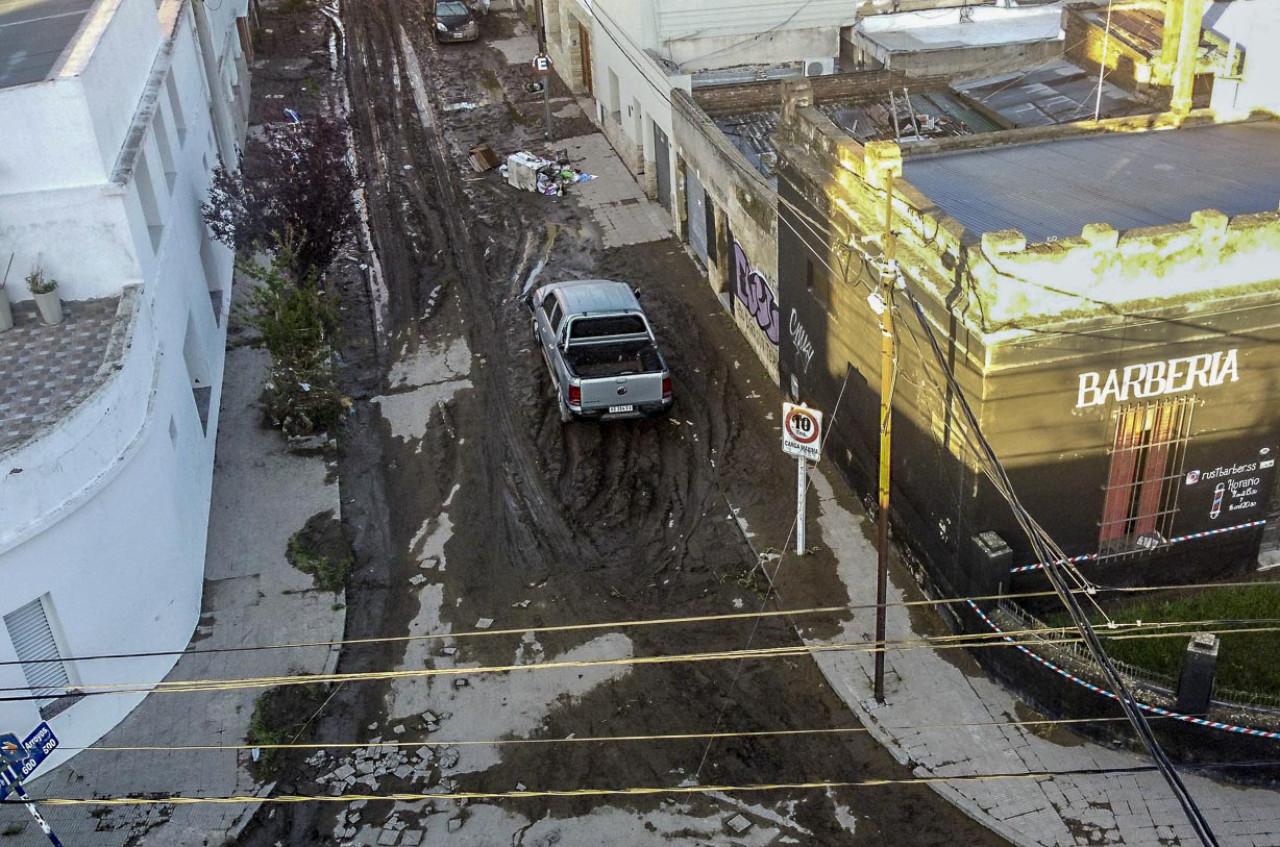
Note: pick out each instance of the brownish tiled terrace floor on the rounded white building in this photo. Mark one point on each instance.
(45, 372)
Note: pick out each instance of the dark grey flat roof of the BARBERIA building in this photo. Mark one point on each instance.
(1124, 180)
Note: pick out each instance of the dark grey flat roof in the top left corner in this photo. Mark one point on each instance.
(34, 35)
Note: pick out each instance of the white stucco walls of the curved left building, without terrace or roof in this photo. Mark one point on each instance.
(108, 516)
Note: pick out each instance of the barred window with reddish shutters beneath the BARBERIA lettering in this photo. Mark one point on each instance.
(1146, 470)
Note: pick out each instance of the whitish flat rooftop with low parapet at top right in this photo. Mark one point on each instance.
(962, 28)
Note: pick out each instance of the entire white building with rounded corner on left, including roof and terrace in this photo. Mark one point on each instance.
(116, 113)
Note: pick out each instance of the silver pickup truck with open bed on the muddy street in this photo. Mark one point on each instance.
(601, 351)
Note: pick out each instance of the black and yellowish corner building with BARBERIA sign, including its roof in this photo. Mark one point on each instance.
(1113, 323)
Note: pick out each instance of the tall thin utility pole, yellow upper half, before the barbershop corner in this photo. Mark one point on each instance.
(889, 277)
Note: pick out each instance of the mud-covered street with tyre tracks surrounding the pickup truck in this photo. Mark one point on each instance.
(477, 511)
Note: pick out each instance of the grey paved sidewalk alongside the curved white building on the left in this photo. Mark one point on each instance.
(253, 597)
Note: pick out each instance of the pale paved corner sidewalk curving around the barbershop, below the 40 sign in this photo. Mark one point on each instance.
(930, 698)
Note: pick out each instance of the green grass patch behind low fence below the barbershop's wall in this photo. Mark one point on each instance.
(1240, 657)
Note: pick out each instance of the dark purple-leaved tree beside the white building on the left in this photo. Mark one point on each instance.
(295, 181)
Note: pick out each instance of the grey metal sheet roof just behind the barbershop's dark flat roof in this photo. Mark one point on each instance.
(1052, 94)
